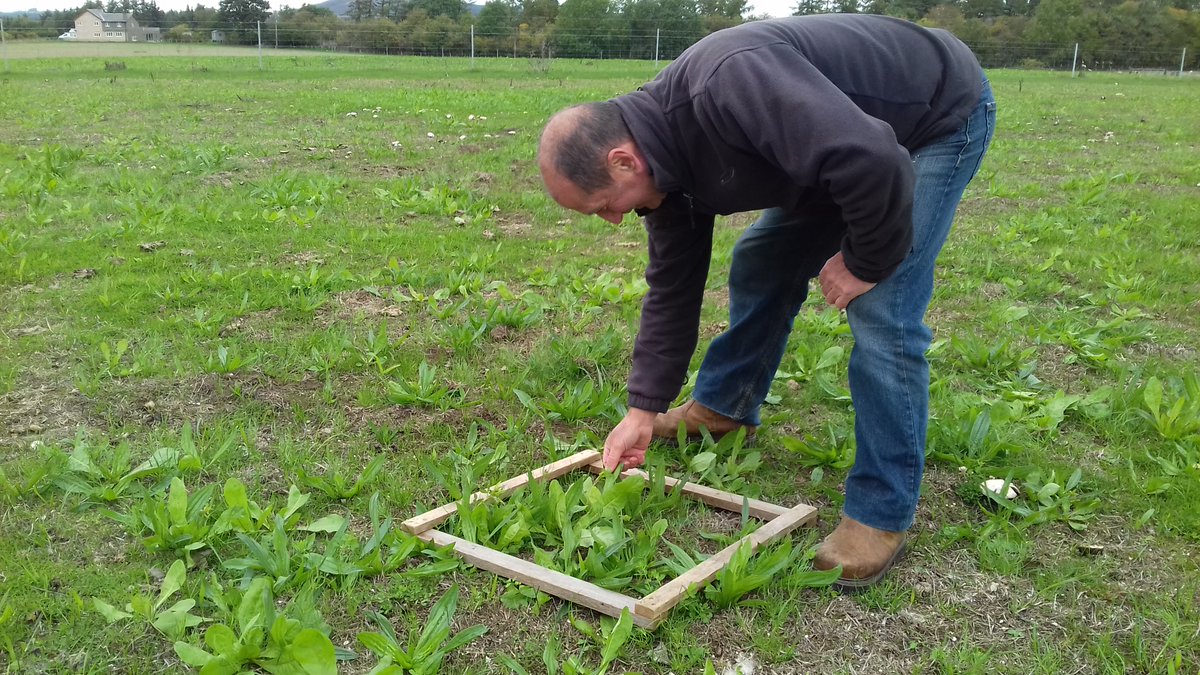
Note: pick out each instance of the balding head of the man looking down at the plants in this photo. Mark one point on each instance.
(591, 164)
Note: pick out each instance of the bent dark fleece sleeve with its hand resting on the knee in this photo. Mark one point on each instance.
(775, 104)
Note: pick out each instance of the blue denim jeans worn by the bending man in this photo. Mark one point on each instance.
(773, 262)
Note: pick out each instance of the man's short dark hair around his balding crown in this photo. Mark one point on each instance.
(581, 154)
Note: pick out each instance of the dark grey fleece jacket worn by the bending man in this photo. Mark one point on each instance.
(805, 114)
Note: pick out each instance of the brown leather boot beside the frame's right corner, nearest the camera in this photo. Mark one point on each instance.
(865, 554)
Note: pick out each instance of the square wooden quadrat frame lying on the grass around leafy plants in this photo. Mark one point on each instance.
(647, 612)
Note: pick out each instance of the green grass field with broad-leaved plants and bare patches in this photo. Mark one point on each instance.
(251, 316)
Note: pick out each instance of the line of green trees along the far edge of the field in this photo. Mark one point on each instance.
(1004, 33)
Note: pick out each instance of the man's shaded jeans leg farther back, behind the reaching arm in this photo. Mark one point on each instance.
(773, 262)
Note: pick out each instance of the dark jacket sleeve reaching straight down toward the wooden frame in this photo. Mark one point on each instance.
(681, 244)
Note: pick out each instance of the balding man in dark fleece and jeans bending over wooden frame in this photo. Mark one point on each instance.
(857, 136)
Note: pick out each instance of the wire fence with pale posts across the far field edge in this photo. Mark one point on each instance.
(644, 45)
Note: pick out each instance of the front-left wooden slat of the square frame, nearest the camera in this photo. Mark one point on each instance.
(549, 581)
